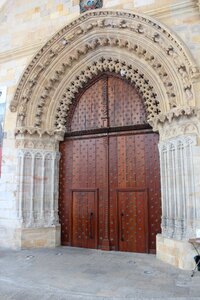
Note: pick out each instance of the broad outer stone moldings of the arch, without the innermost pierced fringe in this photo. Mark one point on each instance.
(84, 35)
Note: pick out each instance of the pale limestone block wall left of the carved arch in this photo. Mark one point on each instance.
(25, 27)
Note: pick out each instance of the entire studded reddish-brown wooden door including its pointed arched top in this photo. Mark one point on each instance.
(109, 171)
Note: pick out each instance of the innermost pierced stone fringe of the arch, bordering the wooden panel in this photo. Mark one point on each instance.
(119, 67)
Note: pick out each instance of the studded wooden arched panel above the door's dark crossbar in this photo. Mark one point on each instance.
(108, 102)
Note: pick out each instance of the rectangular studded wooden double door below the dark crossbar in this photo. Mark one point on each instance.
(110, 189)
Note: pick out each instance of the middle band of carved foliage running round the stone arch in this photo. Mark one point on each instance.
(62, 70)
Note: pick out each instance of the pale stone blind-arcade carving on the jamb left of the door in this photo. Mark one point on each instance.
(37, 187)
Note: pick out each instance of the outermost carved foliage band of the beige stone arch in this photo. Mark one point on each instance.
(181, 62)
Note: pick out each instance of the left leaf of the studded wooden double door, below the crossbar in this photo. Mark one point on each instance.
(87, 169)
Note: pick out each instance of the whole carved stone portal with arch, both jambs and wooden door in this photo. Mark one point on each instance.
(161, 68)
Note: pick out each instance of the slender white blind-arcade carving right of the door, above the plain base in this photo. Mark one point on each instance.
(177, 183)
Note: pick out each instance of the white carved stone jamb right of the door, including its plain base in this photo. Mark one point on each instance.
(180, 184)
